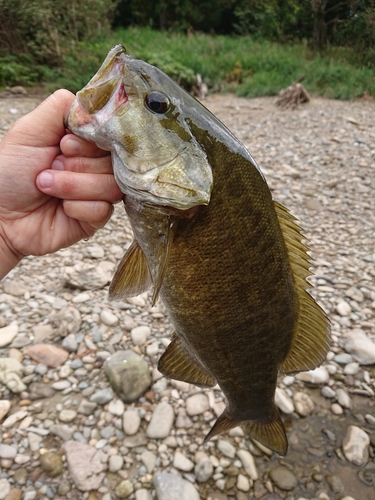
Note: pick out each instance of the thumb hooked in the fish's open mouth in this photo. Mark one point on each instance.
(46, 122)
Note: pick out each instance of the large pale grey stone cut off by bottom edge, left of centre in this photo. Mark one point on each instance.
(169, 487)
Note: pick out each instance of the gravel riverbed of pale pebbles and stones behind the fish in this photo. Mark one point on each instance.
(64, 432)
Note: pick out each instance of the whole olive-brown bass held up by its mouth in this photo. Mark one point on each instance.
(229, 263)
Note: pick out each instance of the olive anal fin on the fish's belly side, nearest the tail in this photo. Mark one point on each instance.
(176, 363)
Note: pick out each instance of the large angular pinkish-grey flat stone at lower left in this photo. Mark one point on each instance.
(86, 465)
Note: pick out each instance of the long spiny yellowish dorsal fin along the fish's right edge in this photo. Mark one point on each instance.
(310, 342)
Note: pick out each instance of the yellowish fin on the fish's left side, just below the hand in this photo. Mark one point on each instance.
(132, 275)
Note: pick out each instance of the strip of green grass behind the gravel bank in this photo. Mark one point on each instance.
(240, 64)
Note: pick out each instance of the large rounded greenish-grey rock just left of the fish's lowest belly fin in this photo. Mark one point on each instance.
(128, 374)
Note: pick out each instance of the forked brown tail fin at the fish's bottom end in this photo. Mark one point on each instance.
(271, 433)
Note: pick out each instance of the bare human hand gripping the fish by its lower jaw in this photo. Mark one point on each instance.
(55, 188)
